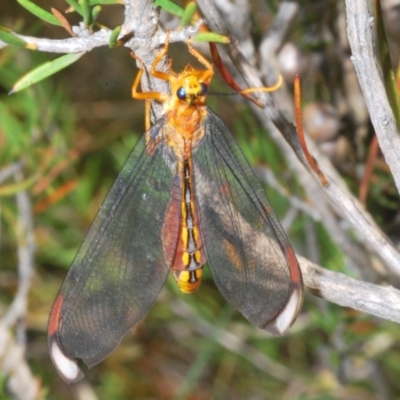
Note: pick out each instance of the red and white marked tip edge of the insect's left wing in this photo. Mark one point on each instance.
(67, 367)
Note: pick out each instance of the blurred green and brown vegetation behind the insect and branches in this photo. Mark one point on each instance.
(71, 134)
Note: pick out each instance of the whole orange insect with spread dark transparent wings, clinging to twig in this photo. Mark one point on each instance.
(185, 196)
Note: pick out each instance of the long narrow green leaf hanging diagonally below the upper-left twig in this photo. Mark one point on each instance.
(45, 70)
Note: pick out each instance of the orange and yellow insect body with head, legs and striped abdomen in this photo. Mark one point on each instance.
(184, 130)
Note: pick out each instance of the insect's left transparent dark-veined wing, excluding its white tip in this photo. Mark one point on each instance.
(120, 267)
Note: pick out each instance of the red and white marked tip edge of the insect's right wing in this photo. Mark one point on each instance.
(282, 322)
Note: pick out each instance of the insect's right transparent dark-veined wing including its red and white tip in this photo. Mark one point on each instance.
(248, 252)
